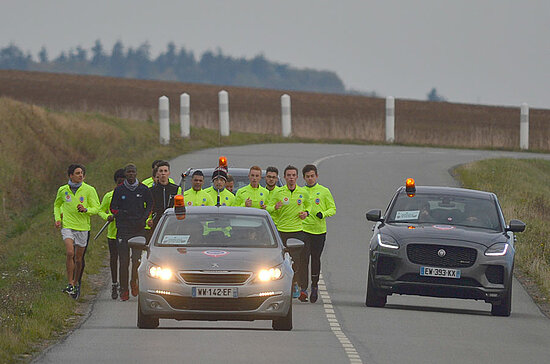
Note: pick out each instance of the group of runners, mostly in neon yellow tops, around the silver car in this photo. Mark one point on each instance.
(298, 212)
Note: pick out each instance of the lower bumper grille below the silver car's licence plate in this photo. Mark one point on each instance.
(214, 304)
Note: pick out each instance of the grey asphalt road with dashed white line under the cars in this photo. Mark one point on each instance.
(338, 328)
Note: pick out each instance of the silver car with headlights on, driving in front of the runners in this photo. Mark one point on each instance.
(215, 263)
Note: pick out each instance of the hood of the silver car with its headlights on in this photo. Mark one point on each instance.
(201, 258)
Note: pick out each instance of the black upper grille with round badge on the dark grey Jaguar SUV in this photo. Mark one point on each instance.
(455, 256)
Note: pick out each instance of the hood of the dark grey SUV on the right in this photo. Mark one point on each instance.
(404, 233)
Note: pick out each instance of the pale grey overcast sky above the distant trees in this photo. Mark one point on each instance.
(474, 51)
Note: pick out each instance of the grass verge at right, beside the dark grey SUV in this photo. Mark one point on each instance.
(524, 193)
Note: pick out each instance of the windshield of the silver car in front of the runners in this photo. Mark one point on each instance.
(216, 230)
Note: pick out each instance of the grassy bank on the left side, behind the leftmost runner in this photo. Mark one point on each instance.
(36, 146)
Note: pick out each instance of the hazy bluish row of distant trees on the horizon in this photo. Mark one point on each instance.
(174, 65)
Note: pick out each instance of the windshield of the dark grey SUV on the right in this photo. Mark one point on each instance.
(445, 210)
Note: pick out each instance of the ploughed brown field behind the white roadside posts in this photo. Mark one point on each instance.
(314, 115)
